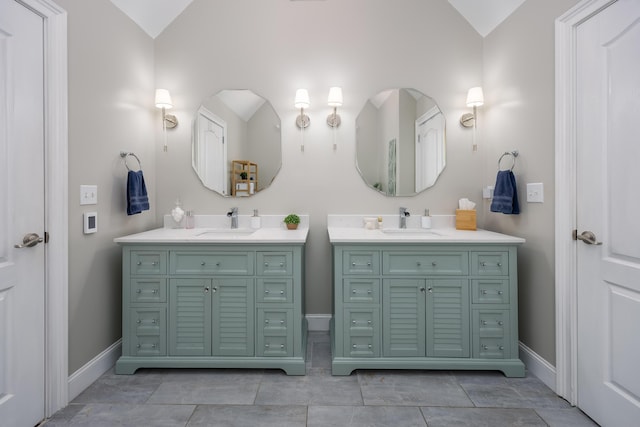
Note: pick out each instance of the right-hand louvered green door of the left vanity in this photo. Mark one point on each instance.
(233, 317)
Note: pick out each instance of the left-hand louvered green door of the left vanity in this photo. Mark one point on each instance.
(190, 317)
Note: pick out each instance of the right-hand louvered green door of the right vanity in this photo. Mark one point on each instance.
(448, 329)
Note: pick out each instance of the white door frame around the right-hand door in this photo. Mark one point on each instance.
(566, 194)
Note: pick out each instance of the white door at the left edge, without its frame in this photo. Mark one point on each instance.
(21, 212)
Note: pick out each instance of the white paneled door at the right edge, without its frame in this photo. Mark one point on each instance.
(608, 177)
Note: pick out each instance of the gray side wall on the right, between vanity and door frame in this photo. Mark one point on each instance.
(519, 114)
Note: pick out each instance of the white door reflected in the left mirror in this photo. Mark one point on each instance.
(210, 151)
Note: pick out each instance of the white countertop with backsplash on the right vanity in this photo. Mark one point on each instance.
(350, 229)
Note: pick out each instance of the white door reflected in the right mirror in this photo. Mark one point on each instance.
(430, 155)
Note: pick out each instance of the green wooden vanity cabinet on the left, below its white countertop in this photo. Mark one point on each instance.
(213, 306)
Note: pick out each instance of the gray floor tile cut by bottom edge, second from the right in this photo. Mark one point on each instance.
(481, 417)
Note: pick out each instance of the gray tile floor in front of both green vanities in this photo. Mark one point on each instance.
(239, 397)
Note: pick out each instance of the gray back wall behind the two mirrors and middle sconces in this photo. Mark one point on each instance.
(364, 46)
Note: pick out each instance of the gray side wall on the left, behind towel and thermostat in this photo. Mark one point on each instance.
(111, 91)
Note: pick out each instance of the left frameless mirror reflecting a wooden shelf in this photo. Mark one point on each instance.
(236, 145)
